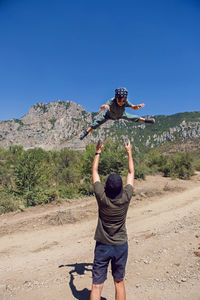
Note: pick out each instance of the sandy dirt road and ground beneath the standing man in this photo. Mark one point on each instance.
(47, 252)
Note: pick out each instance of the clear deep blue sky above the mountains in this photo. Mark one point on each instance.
(81, 50)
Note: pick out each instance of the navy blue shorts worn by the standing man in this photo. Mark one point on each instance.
(103, 254)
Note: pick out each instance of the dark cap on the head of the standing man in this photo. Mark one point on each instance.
(114, 186)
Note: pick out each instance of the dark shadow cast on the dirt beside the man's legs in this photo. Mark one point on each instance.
(79, 269)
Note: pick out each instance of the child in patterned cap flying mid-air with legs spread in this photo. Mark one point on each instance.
(116, 110)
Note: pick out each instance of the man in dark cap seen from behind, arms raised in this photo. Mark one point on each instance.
(111, 236)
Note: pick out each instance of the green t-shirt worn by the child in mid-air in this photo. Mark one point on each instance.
(116, 111)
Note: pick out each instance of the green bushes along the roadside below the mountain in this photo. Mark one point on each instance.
(36, 176)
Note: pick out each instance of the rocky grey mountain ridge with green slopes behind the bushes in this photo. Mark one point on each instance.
(59, 124)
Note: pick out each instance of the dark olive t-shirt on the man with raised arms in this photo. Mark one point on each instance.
(111, 227)
